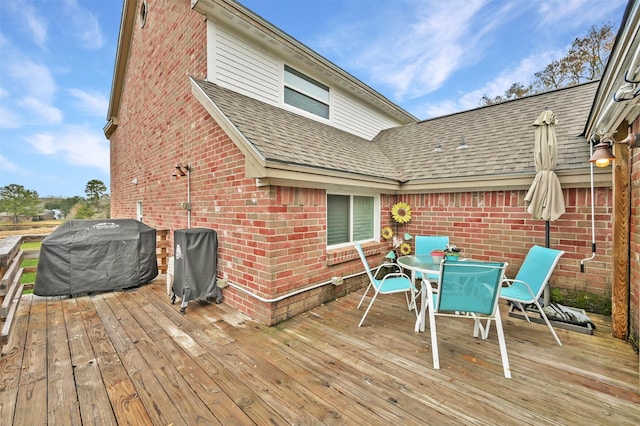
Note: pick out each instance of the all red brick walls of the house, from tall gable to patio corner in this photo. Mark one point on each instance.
(272, 239)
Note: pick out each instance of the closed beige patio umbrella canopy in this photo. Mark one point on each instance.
(544, 199)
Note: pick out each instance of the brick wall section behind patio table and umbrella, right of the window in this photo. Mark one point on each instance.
(496, 226)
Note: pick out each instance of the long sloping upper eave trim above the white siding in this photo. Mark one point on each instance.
(212, 10)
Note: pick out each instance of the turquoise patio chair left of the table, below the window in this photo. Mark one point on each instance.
(393, 282)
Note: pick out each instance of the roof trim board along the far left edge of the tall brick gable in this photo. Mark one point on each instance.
(127, 20)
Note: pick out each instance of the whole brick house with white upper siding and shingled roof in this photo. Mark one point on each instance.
(291, 159)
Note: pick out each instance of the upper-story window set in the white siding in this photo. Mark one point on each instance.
(305, 93)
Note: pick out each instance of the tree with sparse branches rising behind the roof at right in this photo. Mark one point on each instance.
(585, 61)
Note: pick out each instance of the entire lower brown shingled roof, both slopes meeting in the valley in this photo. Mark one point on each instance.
(500, 139)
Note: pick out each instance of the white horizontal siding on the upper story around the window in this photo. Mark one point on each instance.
(235, 63)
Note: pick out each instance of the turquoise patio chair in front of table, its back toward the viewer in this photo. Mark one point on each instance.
(469, 290)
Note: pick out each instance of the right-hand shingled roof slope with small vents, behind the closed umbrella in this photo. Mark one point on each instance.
(500, 138)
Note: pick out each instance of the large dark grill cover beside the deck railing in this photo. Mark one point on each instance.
(85, 256)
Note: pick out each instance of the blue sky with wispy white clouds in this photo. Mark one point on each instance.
(431, 57)
